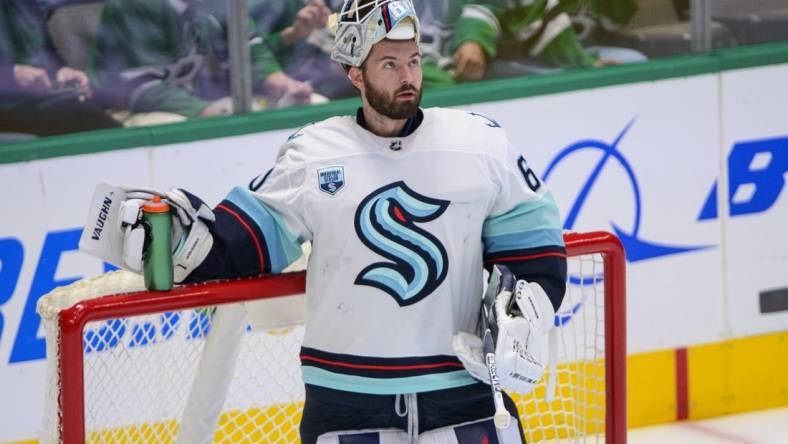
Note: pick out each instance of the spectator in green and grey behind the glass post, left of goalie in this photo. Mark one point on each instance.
(173, 56)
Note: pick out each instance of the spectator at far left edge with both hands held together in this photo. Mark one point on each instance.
(39, 95)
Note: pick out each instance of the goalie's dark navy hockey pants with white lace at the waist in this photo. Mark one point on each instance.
(460, 415)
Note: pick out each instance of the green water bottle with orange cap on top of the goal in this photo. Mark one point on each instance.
(157, 255)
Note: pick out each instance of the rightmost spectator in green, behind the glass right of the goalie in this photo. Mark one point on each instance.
(542, 35)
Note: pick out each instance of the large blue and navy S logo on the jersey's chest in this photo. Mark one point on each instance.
(386, 223)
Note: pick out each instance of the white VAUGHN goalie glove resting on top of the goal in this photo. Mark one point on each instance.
(115, 233)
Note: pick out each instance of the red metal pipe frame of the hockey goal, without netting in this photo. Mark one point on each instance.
(73, 320)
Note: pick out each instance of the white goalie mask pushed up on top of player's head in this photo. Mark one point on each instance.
(363, 23)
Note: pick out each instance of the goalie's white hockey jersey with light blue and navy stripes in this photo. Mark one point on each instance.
(400, 228)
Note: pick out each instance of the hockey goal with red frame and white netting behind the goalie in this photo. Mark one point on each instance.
(126, 365)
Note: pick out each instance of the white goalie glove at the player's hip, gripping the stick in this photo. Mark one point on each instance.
(521, 319)
